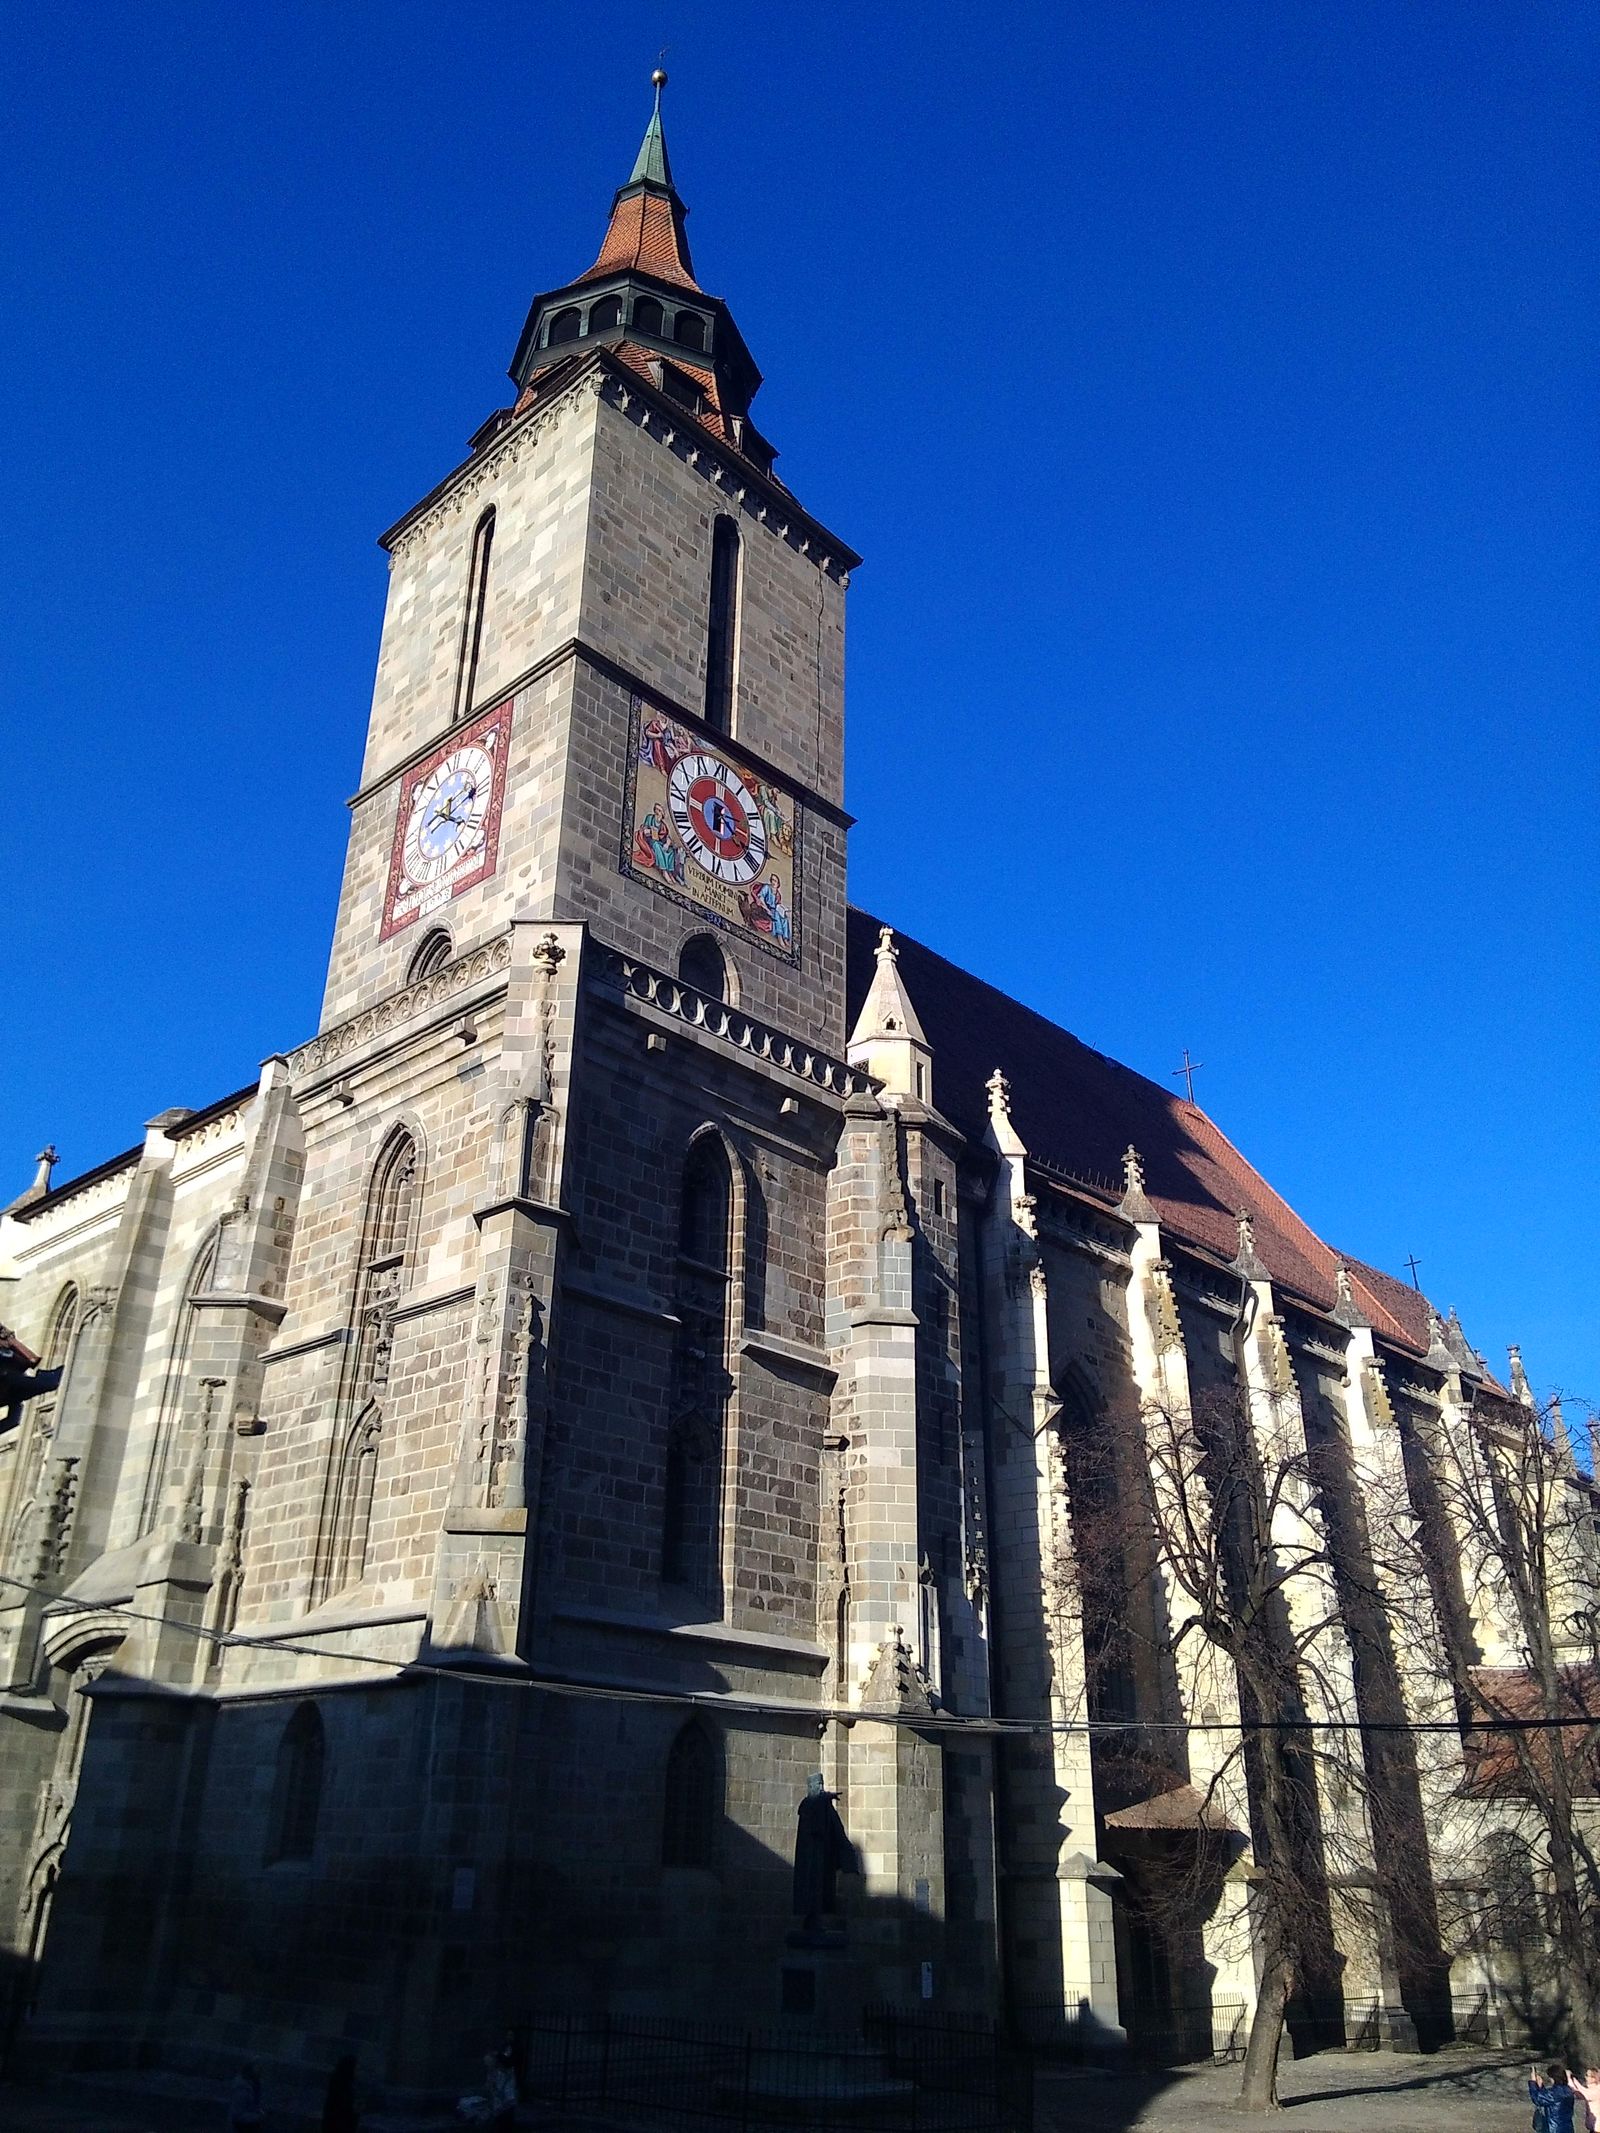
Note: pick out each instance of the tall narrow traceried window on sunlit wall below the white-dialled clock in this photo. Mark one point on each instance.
(349, 1496)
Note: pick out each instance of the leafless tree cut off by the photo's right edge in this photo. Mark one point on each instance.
(1509, 1533)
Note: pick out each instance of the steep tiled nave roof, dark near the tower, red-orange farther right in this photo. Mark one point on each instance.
(1078, 1110)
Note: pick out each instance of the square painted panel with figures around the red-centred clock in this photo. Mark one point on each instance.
(711, 835)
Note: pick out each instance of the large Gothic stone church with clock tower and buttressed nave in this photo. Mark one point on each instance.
(464, 1486)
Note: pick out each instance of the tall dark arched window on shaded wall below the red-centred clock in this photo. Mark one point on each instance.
(697, 1443)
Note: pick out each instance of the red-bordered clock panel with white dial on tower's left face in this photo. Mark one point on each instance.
(447, 829)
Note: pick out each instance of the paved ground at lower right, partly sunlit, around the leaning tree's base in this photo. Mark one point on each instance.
(1330, 2094)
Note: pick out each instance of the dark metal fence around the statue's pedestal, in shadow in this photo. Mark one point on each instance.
(901, 2074)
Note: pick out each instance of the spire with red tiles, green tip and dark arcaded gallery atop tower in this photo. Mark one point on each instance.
(641, 300)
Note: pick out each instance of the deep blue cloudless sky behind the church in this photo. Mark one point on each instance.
(1211, 389)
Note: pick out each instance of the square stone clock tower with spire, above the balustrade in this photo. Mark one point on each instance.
(611, 673)
